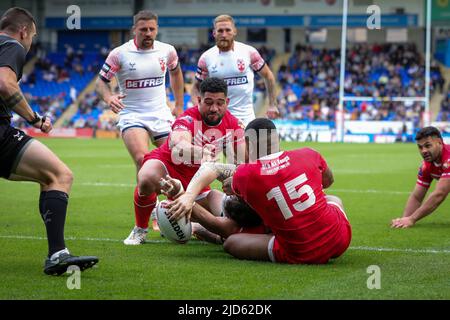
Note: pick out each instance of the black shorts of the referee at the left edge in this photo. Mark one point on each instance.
(12, 145)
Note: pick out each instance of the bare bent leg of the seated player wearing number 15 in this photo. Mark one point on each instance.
(248, 246)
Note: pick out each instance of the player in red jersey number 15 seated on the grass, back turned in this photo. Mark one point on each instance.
(286, 189)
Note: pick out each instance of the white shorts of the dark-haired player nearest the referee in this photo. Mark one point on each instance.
(158, 124)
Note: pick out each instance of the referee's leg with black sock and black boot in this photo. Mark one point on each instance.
(41, 165)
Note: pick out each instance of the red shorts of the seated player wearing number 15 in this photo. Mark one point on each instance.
(333, 248)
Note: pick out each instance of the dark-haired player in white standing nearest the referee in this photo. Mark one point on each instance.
(140, 66)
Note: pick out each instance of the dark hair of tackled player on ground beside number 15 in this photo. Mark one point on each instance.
(239, 211)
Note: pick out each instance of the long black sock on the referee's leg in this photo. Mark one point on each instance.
(53, 208)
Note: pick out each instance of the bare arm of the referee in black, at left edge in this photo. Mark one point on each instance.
(13, 98)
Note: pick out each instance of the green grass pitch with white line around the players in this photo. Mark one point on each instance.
(373, 181)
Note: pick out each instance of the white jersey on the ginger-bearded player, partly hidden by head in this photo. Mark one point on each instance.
(237, 68)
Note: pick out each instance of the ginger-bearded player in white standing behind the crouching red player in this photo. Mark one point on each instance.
(235, 62)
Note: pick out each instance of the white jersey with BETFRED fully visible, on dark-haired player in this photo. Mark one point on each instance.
(141, 74)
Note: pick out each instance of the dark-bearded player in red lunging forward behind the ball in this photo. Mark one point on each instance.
(201, 133)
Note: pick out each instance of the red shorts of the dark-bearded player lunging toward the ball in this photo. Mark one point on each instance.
(181, 172)
